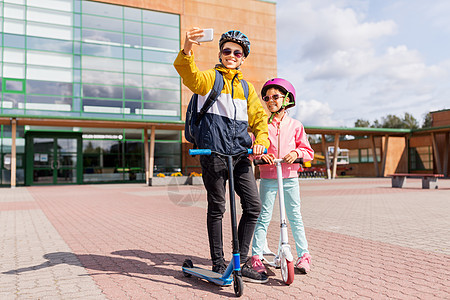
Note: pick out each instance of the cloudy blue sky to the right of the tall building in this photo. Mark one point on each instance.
(364, 59)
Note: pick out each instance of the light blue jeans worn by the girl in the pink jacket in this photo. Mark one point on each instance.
(268, 191)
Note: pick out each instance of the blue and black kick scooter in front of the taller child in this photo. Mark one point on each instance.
(235, 265)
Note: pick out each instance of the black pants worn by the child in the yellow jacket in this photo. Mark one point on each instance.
(215, 176)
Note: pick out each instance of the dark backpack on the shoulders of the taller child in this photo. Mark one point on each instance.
(194, 117)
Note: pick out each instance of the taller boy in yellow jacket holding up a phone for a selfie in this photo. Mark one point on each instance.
(224, 130)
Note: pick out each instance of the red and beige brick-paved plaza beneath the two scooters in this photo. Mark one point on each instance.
(367, 240)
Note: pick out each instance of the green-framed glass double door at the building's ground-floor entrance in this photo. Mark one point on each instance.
(53, 159)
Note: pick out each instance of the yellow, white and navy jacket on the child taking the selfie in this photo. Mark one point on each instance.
(224, 127)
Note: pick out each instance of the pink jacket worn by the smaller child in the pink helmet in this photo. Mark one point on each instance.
(286, 136)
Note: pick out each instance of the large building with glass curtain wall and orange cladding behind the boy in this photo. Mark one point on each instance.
(85, 83)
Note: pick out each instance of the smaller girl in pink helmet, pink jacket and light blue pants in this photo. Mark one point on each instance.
(288, 140)
